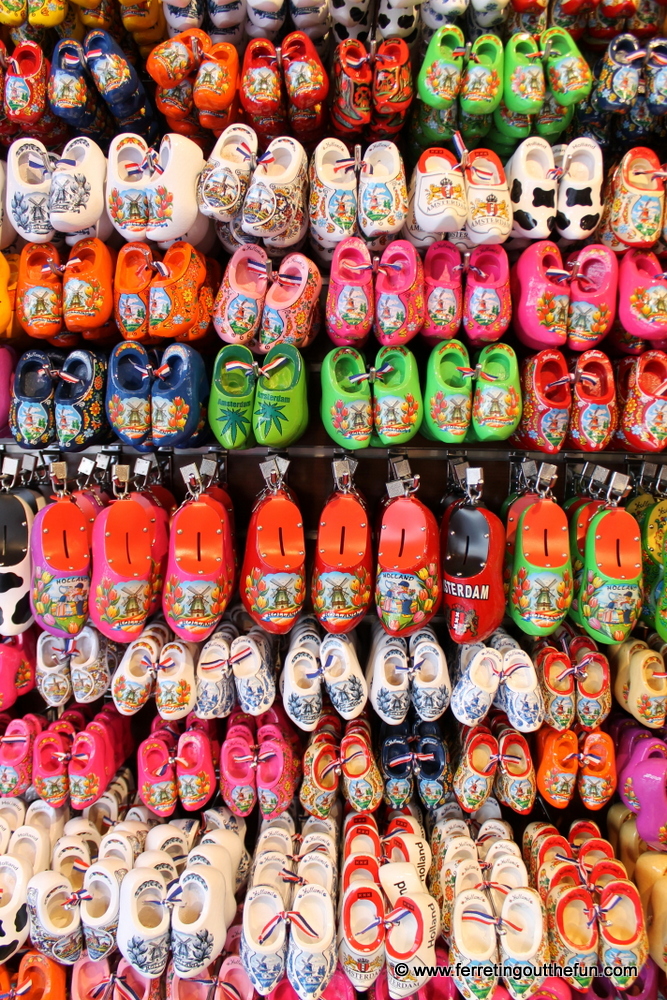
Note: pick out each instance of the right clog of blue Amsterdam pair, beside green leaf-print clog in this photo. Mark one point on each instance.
(179, 397)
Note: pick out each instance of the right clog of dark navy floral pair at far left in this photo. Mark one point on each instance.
(79, 400)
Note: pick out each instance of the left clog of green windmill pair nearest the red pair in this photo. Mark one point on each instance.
(448, 395)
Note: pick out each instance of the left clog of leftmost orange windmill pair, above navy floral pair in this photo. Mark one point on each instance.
(39, 290)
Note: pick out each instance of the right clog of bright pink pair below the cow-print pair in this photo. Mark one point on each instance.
(593, 289)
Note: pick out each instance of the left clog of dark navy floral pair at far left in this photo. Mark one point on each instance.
(31, 411)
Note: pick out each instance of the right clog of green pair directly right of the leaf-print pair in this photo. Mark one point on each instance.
(398, 407)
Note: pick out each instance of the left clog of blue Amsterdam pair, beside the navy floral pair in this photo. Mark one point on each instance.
(128, 395)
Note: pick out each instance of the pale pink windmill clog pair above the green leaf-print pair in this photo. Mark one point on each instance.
(250, 311)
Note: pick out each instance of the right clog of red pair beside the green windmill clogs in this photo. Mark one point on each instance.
(594, 411)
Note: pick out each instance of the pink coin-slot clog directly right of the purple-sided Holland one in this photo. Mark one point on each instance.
(120, 584)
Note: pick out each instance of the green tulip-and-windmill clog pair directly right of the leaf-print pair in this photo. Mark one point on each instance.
(387, 399)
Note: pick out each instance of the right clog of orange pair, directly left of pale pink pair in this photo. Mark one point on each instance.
(173, 304)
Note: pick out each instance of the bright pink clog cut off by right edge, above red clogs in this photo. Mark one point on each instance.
(642, 298)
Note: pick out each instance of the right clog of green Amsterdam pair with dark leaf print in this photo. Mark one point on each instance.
(280, 414)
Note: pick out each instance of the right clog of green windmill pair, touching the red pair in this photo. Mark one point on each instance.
(496, 409)
